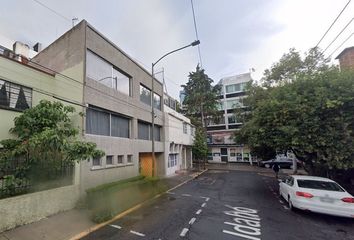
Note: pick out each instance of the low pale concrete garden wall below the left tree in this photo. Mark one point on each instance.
(32, 207)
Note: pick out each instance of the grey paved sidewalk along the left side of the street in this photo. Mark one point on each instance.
(65, 225)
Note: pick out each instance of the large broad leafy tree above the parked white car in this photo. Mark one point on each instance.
(309, 111)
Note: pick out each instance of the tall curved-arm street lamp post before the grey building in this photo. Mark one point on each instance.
(195, 43)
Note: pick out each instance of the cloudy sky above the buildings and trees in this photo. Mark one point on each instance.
(235, 35)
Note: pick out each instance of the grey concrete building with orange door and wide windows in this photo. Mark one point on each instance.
(118, 98)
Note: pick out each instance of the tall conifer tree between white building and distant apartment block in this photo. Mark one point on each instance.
(201, 100)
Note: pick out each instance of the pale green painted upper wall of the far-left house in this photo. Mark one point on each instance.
(57, 85)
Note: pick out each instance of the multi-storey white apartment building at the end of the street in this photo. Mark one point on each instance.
(222, 147)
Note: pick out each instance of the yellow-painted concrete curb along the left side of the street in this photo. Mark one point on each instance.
(122, 214)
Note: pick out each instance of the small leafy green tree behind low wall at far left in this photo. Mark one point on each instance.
(44, 136)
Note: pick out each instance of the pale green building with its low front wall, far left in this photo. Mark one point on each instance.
(22, 86)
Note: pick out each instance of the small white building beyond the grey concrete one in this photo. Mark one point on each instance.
(179, 138)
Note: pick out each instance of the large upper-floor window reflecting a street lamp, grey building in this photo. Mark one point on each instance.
(104, 72)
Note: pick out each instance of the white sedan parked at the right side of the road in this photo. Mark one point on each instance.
(317, 194)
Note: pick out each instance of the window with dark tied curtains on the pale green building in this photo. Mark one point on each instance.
(15, 96)
